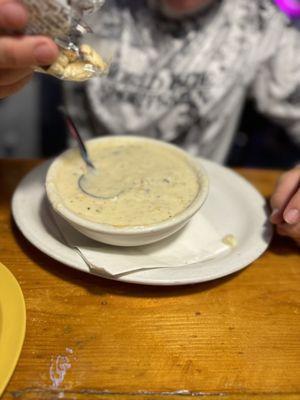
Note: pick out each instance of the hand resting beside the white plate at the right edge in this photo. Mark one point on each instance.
(285, 203)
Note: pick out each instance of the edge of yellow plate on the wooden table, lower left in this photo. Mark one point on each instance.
(12, 325)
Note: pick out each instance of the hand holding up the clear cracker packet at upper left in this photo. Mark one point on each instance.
(19, 54)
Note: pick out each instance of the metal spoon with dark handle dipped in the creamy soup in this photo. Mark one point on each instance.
(94, 182)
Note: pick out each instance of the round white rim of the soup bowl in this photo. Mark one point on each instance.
(58, 206)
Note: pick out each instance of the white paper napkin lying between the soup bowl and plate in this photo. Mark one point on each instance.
(198, 242)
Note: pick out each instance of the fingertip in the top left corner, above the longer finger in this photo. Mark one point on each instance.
(13, 15)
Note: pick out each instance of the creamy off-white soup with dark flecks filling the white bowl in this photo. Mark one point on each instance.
(155, 183)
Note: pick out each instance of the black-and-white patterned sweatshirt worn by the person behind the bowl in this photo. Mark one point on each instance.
(186, 81)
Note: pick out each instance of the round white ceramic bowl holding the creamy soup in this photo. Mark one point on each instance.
(129, 236)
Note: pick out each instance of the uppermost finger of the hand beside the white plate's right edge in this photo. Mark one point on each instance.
(286, 187)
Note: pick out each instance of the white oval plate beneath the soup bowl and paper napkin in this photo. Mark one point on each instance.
(233, 206)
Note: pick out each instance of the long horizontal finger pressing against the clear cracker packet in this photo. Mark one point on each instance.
(26, 51)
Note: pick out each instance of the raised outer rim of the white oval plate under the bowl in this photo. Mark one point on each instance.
(79, 264)
